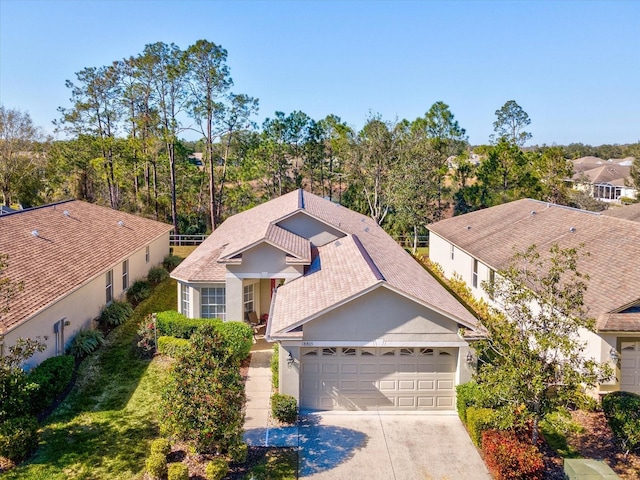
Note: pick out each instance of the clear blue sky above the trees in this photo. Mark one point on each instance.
(574, 66)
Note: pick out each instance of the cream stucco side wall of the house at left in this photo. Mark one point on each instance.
(83, 305)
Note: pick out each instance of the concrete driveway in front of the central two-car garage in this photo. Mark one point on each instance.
(354, 446)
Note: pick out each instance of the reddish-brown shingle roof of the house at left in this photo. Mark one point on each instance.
(57, 248)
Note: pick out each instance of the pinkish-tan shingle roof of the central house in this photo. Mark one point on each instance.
(349, 266)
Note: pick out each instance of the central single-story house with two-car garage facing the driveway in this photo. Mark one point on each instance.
(361, 325)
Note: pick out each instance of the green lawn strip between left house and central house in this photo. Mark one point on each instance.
(104, 427)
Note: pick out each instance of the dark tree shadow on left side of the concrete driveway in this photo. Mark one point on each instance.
(326, 446)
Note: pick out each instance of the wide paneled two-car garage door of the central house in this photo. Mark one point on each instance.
(342, 378)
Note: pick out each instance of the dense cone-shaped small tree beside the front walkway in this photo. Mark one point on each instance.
(204, 399)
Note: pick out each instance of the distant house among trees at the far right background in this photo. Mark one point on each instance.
(604, 180)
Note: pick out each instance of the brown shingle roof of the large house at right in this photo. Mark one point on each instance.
(494, 234)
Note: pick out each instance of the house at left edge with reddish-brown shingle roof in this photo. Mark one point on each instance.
(73, 258)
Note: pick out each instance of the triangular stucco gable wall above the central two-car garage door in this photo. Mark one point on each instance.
(381, 314)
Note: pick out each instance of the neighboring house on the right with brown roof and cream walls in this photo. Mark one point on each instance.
(478, 244)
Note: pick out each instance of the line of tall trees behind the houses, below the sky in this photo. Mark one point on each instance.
(125, 124)
